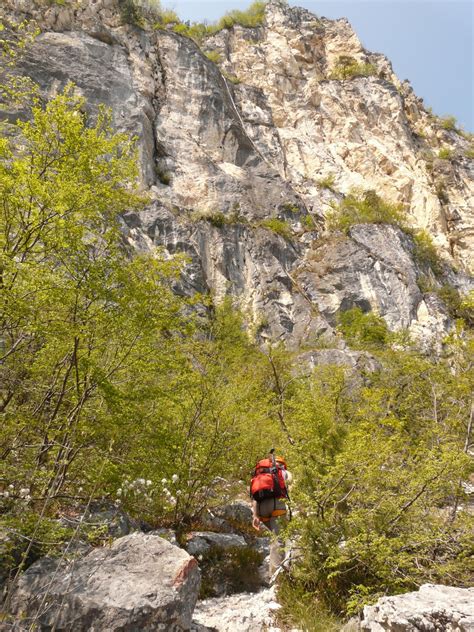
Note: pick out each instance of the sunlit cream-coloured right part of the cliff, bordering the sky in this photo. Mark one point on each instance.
(368, 132)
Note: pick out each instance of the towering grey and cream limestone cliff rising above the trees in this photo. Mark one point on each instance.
(267, 132)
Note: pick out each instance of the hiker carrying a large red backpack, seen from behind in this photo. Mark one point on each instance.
(269, 492)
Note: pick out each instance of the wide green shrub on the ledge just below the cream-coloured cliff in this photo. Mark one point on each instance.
(367, 208)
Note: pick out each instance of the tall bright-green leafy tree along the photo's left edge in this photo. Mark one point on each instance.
(85, 329)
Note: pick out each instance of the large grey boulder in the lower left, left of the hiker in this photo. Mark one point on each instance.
(142, 582)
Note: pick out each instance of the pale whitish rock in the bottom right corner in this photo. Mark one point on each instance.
(432, 609)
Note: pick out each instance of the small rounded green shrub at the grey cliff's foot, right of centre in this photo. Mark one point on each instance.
(361, 329)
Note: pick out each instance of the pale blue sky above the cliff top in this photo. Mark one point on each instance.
(429, 42)
